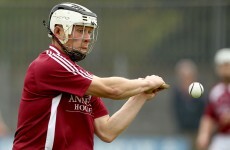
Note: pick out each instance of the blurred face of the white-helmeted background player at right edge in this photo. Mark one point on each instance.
(223, 72)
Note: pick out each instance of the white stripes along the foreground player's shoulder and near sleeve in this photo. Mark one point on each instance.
(70, 65)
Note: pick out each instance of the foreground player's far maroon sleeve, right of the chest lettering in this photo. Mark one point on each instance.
(99, 108)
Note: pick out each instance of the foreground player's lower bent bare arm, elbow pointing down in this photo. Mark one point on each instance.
(108, 128)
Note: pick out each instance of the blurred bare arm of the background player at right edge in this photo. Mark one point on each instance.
(206, 129)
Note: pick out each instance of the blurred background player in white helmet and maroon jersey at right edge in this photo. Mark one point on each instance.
(214, 130)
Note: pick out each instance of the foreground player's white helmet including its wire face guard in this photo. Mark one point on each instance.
(70, 15)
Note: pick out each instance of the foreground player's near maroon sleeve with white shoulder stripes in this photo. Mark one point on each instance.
(51, 76)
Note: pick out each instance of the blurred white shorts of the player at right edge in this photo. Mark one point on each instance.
(220, 142)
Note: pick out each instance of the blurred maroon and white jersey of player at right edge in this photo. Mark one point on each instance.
(219, 103)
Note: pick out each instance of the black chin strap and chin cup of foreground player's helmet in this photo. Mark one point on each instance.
(74, 55)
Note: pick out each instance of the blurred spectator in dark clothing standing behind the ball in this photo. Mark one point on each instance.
(187, 110)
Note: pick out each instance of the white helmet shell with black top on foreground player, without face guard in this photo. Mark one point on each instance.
(70, 14)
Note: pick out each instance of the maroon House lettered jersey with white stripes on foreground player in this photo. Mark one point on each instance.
(54, 111)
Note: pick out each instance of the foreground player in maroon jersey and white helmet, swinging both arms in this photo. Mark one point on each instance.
(60, 106)
